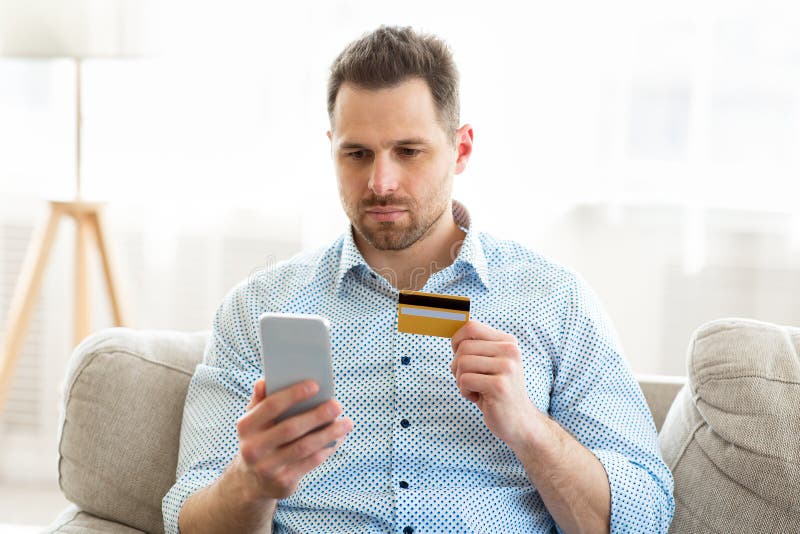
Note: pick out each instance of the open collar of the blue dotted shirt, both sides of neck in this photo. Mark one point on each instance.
(471, 253)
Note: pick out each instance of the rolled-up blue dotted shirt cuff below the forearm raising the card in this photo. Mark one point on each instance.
(639, 503)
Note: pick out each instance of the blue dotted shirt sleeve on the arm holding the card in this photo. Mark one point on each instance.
(597, 399)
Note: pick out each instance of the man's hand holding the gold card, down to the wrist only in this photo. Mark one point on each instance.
(488, 369)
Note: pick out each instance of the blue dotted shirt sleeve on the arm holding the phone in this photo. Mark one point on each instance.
(217, 397)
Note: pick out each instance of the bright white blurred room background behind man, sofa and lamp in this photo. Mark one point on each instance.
(653, 147)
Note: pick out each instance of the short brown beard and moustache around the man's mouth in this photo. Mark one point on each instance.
(395, 235)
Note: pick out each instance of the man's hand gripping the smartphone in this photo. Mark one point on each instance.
(277, 455)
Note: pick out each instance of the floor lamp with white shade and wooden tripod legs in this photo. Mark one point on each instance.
(78, 30)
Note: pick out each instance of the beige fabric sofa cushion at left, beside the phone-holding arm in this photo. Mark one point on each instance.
(121, 420)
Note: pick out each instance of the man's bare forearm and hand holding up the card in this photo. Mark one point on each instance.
(571, 480)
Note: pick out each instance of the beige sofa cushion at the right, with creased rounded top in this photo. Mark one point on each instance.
(730, 437)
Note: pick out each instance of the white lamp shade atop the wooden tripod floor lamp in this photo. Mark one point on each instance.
(78, 28)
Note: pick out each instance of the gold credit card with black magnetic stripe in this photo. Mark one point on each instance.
(431, 314)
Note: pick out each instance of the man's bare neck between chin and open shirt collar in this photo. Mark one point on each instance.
(410, 268)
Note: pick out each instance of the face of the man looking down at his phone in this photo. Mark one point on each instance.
(394, 162)
